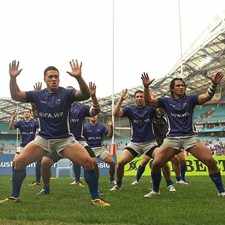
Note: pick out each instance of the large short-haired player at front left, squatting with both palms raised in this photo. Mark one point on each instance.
(53, 104)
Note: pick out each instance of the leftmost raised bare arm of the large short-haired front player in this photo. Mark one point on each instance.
(16, 93)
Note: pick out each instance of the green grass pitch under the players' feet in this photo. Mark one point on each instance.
(194, 204)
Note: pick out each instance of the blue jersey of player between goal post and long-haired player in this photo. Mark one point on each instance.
(140, 118)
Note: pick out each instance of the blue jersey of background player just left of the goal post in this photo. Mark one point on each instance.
(94, 134)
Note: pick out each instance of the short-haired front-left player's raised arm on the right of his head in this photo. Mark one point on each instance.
(84, 93)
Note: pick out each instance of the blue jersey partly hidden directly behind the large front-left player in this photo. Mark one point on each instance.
(77, 115)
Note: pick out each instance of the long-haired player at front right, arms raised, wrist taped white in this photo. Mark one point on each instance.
(179, 108)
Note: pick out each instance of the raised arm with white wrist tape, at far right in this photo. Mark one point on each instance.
(216, 79)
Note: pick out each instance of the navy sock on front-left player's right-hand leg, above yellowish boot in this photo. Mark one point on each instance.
(92, 181)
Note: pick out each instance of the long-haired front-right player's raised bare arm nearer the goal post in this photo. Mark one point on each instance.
(149, 100)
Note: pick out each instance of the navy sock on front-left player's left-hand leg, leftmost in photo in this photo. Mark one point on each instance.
(17, 180)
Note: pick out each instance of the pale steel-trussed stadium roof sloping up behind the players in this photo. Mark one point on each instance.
(205, 57)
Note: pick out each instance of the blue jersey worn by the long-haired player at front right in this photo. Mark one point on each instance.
(179, 112)
